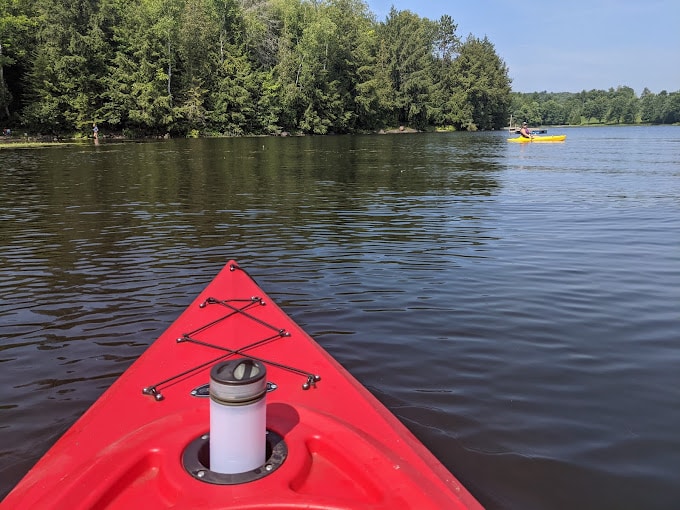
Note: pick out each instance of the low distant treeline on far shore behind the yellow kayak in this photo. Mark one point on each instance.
(613, 106)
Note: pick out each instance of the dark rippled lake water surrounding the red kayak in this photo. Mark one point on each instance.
(516, 306)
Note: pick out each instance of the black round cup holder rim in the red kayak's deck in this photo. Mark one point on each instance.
(196, 461)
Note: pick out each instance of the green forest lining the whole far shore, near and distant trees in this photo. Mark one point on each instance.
(232, 67)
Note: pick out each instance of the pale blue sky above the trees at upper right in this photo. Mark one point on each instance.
(569, 46)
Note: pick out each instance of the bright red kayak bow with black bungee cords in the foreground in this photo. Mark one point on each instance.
(138, 449)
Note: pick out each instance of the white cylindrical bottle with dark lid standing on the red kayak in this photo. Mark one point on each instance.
(238, 433)
